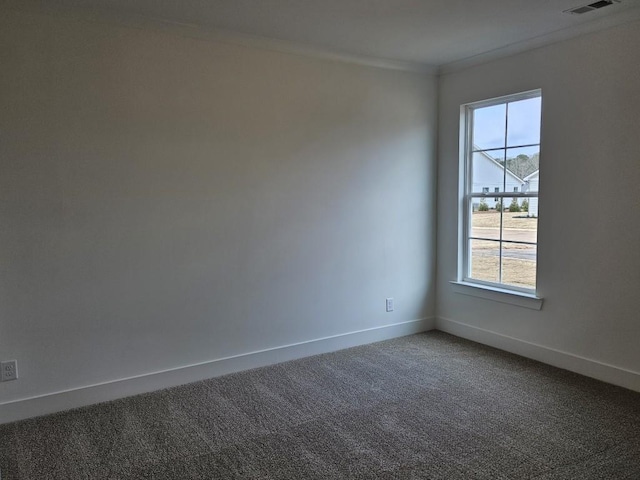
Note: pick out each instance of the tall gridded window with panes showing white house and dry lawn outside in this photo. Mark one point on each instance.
(502, 149)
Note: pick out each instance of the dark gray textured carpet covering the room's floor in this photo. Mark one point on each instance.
(428, 406)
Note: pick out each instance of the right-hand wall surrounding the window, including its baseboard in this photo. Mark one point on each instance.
(589, 255)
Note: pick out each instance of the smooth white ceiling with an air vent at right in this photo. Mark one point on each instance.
(427, 32)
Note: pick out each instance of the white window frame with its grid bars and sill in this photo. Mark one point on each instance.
(468, 197)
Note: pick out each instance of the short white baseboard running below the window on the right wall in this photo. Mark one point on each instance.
(568, 361)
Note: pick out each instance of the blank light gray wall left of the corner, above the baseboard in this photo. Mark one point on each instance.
(167, 201)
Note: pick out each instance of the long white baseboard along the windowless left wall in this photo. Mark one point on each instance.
(102, 392)
